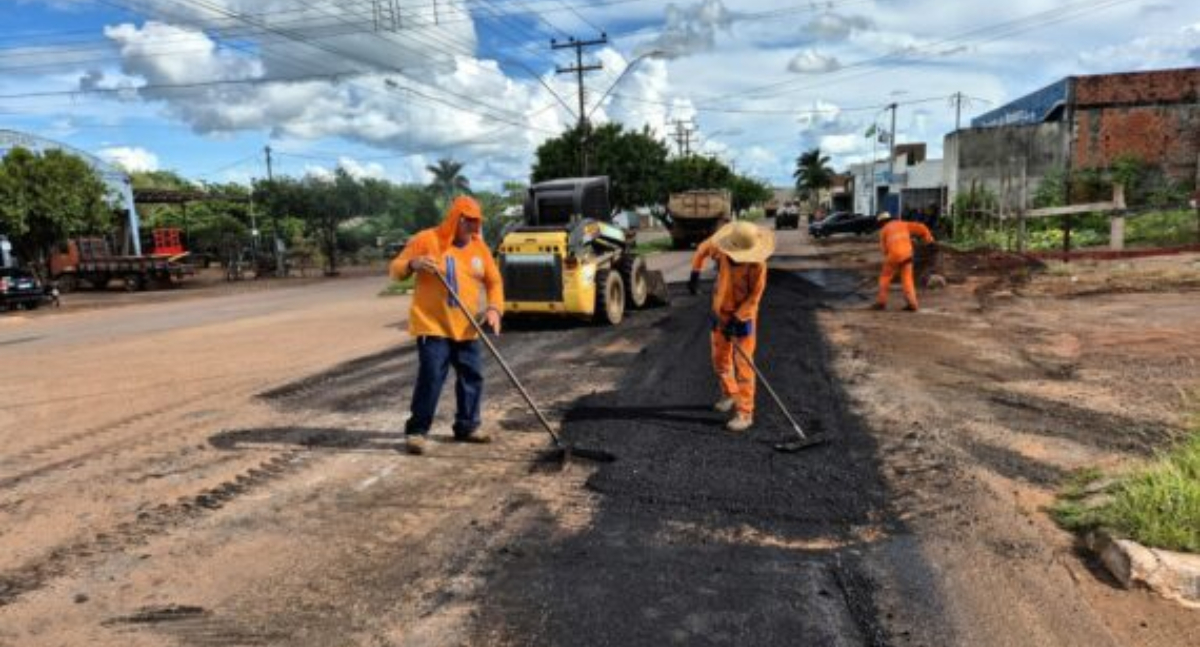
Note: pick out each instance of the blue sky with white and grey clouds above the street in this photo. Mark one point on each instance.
(202, 86)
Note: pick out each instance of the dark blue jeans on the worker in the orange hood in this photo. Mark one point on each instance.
(436, 356)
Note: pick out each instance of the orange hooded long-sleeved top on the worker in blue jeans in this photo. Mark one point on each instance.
(469, 269)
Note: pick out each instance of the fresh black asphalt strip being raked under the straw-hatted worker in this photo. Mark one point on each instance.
(705, 538)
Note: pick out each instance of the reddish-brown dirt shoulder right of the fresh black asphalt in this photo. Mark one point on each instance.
(1009, 380)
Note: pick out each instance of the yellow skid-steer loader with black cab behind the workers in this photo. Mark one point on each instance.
(568, 259)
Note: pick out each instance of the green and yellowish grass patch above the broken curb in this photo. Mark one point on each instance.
(1157, 506)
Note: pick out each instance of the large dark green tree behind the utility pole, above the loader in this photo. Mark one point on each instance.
(633, 161)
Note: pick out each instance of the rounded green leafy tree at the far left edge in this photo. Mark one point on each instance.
(46, 199)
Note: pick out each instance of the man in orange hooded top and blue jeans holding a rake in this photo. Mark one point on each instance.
(445, 336)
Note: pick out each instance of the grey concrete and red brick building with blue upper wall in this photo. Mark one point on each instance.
(1079, 123)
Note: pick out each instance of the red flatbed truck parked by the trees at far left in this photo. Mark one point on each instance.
(92, 261)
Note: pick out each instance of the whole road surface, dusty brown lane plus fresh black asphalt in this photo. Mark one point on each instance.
(225, 471)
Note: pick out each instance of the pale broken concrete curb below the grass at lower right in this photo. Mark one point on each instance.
(1173, 576)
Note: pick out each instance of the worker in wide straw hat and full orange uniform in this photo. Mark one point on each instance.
(741, 251)
